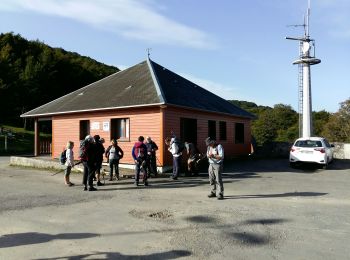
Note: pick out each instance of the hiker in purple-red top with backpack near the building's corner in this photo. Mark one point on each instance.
(139, 154)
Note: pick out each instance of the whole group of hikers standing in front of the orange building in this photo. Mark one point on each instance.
(92, 153)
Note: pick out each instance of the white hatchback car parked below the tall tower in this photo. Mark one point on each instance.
(311, 150)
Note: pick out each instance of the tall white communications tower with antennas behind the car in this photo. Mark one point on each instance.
(306, 45)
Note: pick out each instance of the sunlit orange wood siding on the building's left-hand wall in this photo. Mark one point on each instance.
(145, 121)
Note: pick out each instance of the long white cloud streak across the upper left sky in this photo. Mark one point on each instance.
(133, 19)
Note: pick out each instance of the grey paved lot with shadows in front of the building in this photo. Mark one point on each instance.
(270, 212)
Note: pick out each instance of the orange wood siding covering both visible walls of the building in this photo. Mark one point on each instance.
(155, 122)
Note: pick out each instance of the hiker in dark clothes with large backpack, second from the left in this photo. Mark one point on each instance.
(88, 157)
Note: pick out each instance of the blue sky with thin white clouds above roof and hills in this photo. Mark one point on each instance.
(234, 48)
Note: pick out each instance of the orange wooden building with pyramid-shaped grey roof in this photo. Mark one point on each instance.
(146, 99)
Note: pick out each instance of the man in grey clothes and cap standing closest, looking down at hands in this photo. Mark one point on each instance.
(215, 154)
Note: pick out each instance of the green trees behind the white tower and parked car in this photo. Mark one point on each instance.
(281, 124)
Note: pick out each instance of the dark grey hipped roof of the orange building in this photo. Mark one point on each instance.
(144, 84)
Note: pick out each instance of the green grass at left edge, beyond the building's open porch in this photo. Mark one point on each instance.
(22, 141)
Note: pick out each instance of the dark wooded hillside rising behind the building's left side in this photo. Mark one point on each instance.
(32, 74)
